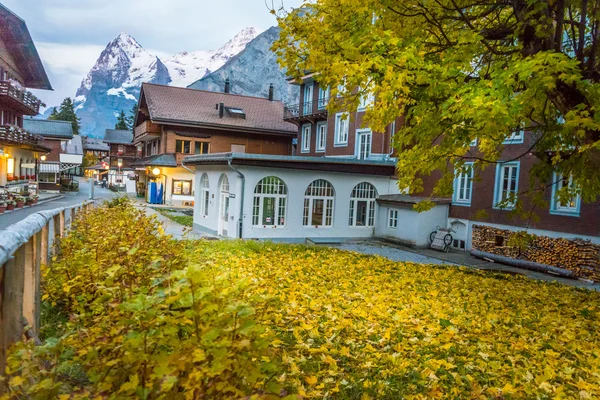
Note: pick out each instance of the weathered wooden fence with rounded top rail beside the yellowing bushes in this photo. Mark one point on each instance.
(24, 247)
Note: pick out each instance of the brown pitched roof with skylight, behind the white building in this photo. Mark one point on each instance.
(199, 108)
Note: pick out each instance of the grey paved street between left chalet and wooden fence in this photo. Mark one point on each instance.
(8, 219)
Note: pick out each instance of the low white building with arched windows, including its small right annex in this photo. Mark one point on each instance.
(295, 198)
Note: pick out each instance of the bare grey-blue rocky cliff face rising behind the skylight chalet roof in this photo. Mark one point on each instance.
(251, 71)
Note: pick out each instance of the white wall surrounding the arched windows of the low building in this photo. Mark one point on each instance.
(297, 181)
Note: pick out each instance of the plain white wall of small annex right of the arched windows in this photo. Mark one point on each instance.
(413, 227)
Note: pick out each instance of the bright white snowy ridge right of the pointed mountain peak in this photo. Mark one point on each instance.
(186, 68)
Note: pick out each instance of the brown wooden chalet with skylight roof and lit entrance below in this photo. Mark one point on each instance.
(173, 123)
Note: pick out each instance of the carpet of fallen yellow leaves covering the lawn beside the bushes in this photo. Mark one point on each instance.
(353, 326)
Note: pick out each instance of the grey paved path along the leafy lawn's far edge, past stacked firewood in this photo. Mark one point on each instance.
(396, 252)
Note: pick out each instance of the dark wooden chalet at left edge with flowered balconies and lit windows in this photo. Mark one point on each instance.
(20, 68)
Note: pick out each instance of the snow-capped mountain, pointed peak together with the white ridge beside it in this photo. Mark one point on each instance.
(113, 84)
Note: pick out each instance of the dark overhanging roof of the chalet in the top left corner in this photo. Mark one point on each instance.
(16, 37)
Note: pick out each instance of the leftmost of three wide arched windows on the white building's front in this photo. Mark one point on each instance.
(271, 187)
